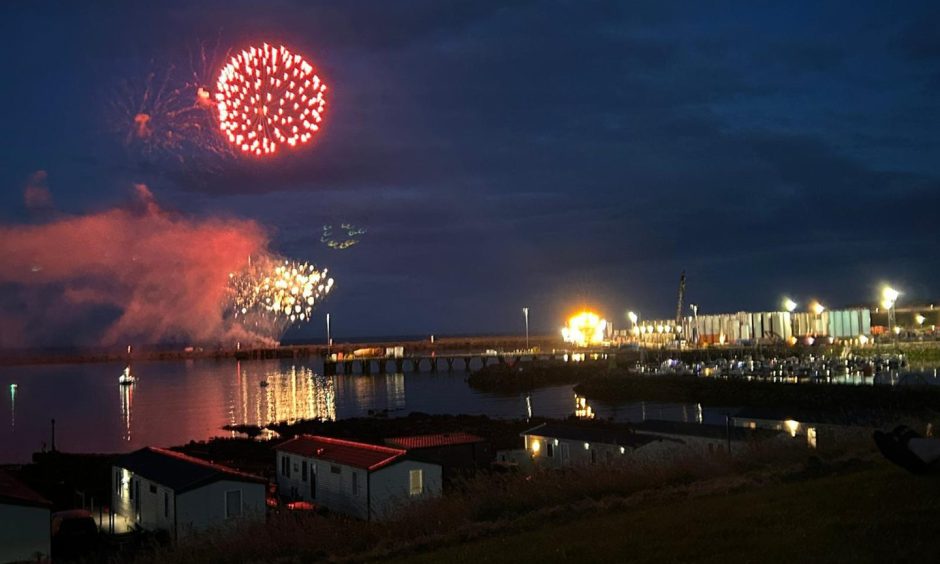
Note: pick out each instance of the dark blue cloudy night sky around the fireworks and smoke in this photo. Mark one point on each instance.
(546, 154)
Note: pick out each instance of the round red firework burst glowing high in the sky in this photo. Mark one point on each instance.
(269, 97)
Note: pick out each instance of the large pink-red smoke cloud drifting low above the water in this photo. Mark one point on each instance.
(165, 274)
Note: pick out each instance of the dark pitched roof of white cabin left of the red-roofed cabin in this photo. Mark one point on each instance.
(178, 471)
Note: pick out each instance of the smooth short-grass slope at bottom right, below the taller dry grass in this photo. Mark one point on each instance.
(880, 514)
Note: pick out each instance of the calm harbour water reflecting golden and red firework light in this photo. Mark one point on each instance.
(174, 402)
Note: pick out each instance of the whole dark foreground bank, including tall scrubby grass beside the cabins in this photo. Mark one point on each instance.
(781, 505)
